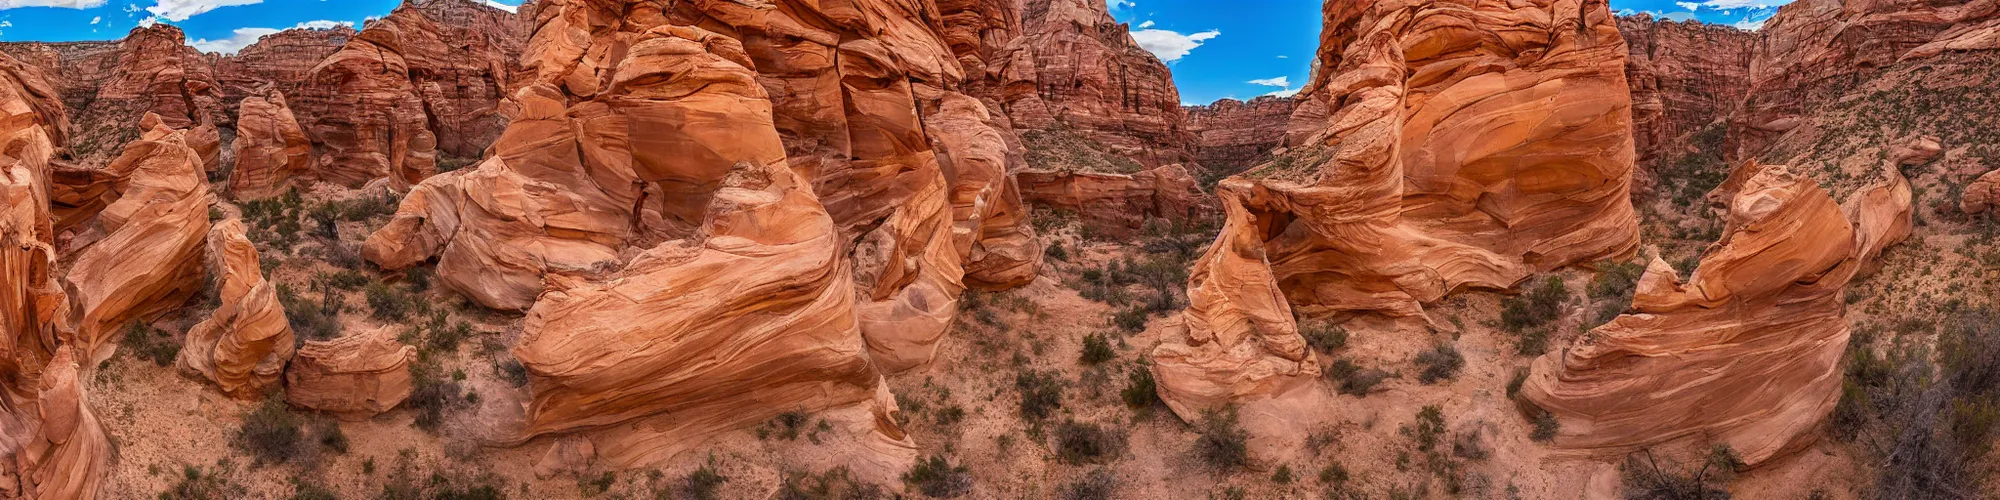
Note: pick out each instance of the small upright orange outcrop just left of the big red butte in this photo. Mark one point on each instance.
(271, 149)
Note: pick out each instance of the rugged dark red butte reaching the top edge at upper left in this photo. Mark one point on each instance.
(425, 81)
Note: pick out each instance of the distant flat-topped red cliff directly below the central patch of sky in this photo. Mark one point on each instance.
(1233, 135)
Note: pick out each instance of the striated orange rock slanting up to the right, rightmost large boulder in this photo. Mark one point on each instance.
(1747, 351)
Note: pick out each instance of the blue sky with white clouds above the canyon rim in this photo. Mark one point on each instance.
(1239, 49)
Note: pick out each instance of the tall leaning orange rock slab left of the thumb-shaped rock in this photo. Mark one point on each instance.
(151, 255)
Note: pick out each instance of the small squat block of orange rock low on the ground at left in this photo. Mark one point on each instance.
(353, 377)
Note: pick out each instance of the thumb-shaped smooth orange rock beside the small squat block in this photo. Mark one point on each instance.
(245, 345)
